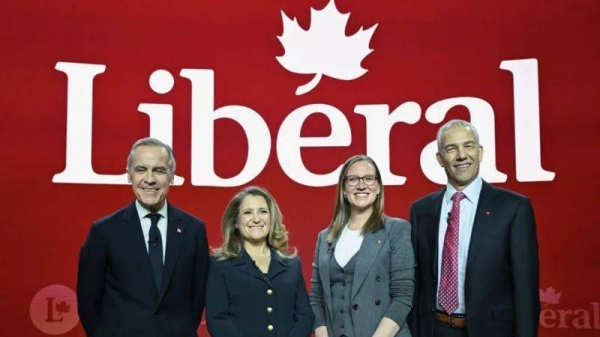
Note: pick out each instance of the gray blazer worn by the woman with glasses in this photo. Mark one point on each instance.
(383, 280)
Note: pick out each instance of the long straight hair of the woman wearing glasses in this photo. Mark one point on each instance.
(341, 213)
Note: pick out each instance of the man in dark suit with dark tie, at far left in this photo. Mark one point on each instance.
(143, 269)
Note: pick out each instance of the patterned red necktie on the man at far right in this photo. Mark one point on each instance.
(448, 292)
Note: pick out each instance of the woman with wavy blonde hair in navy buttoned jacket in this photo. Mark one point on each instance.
(255, 284)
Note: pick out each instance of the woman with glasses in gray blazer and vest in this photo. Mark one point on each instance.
(363, 270)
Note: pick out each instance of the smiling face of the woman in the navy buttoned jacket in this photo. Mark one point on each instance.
(254, 219)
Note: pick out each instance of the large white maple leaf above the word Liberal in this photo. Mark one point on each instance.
(324, 49)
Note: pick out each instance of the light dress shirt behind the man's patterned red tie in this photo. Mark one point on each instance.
(468, 208)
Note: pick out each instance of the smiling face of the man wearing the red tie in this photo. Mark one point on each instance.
(460, 156)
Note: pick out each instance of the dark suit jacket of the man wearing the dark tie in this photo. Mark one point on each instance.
(116, 292)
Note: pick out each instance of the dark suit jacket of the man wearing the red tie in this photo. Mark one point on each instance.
(502, 272)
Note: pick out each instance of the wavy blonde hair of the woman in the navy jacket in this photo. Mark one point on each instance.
(233, 242)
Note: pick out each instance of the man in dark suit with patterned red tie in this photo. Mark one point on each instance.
(476, 249)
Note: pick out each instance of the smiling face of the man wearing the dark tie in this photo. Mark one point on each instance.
(150, 176)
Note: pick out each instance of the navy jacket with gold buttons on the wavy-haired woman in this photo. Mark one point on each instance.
(238, 299)
